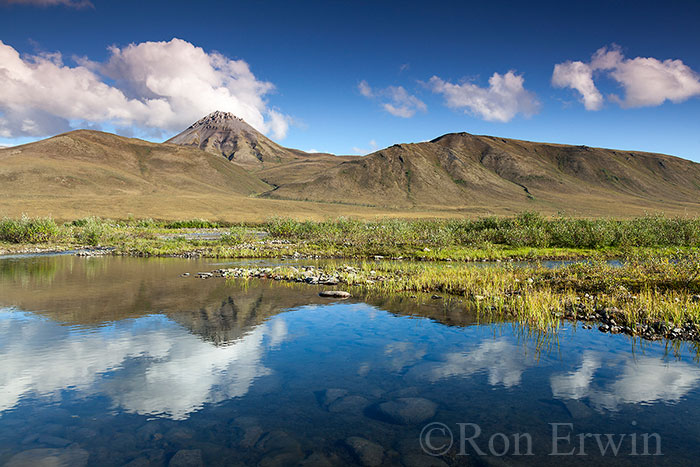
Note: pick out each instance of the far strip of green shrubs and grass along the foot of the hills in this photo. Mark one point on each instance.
(527, 236)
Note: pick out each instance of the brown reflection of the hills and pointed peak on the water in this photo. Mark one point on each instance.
(91, 291)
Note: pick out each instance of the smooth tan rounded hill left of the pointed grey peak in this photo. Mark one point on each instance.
(93, 163)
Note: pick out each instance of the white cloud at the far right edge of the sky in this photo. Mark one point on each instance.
(646, 81)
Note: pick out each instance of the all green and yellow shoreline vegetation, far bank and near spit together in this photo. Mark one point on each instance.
(653, 292)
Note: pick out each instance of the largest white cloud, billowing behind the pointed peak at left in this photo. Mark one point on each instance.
(154, 86)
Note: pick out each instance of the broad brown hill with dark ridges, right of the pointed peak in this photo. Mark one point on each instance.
(468, 170)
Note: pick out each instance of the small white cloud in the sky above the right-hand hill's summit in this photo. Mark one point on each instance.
(501, 101)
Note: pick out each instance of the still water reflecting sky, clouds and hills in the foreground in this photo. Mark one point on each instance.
(114, 361)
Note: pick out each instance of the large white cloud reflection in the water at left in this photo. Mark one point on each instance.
(156, 367)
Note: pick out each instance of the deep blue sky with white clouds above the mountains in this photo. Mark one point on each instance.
(350, 76)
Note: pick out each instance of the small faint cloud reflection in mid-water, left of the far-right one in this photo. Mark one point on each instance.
(503, 361)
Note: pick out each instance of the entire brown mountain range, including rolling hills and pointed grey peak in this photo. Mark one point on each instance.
(221, 167)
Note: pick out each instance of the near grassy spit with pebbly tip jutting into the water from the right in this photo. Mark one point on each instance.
(648, 297)
